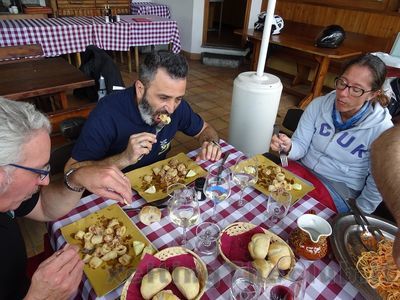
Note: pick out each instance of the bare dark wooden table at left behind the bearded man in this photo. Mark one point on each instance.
(22, 80)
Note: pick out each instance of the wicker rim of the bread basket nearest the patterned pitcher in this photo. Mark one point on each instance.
(238, 228)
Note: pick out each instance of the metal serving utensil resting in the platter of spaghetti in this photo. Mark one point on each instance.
(370, 235)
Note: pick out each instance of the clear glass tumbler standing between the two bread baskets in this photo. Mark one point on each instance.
(207, 234)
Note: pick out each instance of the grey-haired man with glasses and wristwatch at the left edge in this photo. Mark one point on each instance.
(25, 191)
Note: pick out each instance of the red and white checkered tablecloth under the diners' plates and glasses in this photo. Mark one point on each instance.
(325, 277)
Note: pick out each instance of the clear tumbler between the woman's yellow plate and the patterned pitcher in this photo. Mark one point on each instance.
(277, 206)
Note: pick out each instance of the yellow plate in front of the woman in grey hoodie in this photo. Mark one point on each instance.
(296, 195)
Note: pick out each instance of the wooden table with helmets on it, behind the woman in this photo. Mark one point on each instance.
(300, 37)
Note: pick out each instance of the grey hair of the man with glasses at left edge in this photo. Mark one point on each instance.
(19, 121)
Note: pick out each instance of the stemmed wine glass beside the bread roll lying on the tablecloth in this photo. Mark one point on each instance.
(183, 207)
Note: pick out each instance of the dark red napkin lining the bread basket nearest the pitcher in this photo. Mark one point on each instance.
(235, 248)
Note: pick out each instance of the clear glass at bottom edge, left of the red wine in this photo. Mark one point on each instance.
(246, 284)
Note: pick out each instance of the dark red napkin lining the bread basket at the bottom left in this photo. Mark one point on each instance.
(150, 262)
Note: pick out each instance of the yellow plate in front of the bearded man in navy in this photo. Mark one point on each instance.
(136, 176)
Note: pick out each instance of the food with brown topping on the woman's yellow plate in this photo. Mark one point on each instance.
(273, 179)
